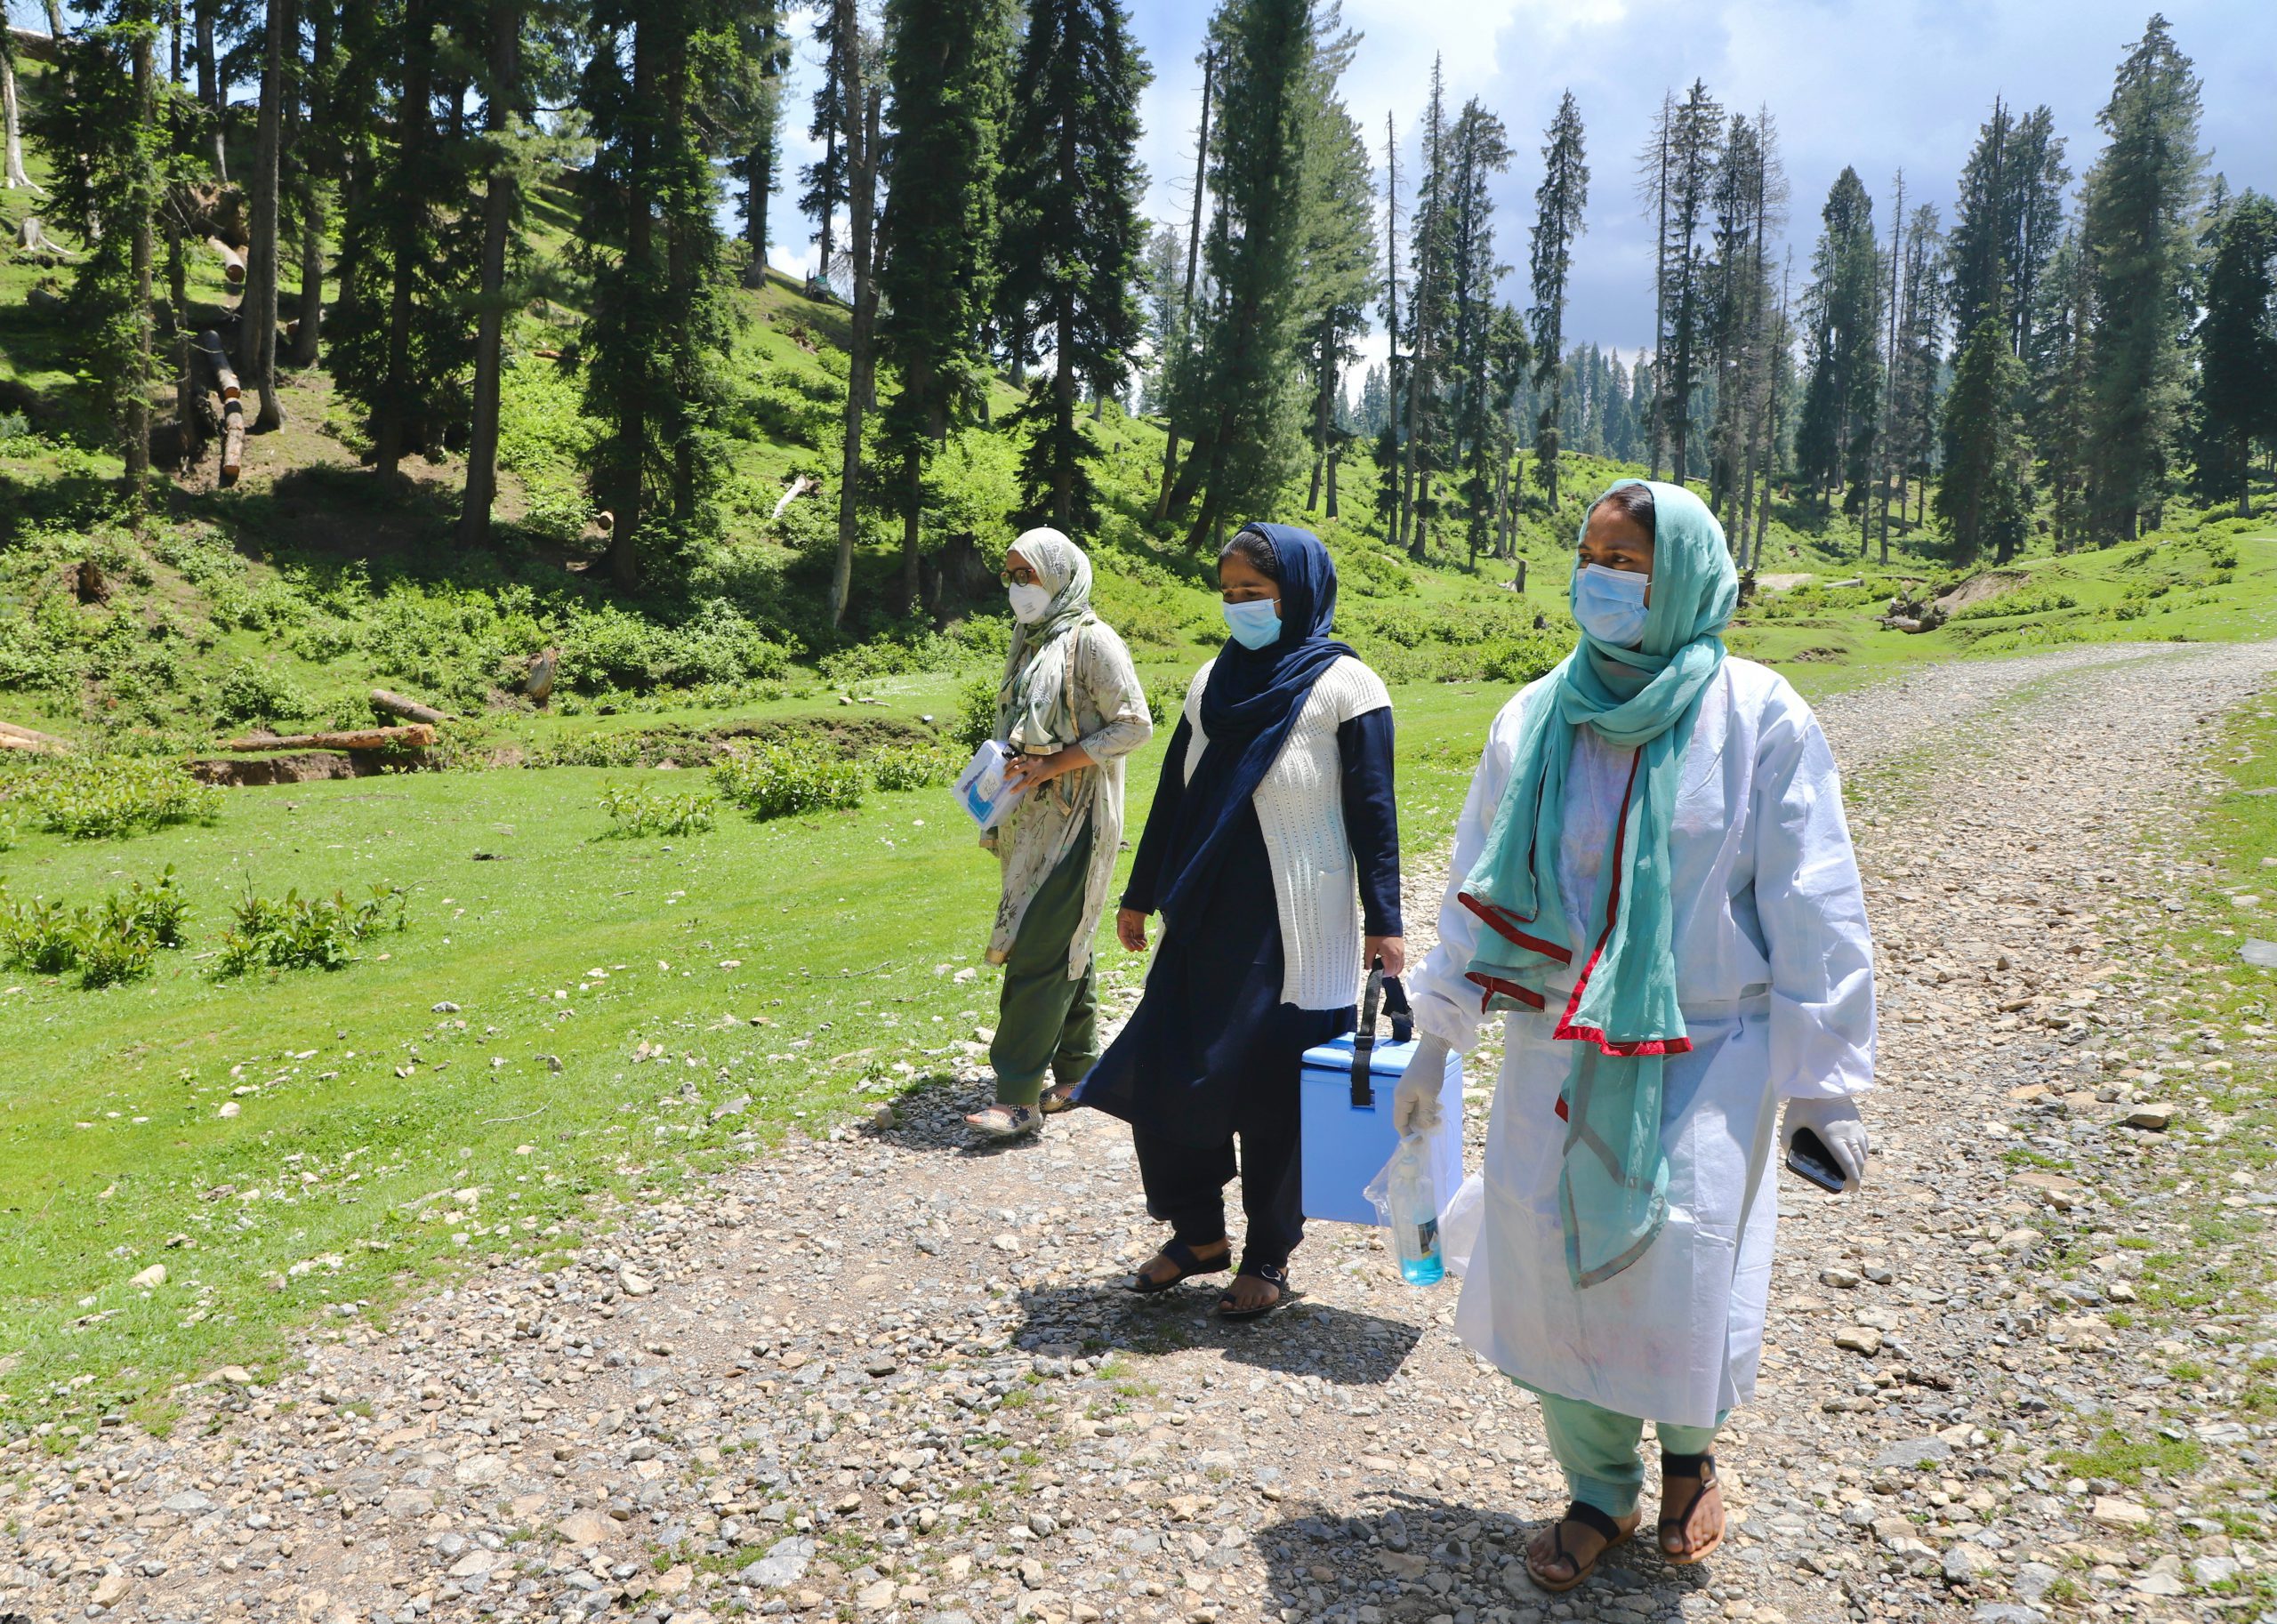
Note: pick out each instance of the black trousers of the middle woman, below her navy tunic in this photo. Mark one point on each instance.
(1185, 1186)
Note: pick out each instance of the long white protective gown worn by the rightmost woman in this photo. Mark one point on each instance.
(1775, 974)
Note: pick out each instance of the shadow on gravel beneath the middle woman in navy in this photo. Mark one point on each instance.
(1335, 1345)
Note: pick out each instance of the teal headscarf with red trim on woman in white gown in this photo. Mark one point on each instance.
(1622, 1015)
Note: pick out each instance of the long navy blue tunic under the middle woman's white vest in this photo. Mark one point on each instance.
(1213, 1040)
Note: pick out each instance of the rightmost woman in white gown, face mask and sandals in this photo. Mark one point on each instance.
(1773, 971)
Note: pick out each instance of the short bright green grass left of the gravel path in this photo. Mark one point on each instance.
(368, 1113)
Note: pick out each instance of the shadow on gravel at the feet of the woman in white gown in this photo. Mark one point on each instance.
(1417, 1557)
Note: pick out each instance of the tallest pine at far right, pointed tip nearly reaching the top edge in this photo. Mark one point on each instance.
(2137, 213)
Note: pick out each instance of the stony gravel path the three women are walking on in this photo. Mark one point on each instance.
(887, 1377)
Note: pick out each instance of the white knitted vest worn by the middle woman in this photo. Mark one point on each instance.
(1301, 812)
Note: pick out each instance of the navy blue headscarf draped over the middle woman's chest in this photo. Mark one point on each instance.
(1249, 710)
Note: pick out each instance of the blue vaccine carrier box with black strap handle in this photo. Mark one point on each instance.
(1347, 1101)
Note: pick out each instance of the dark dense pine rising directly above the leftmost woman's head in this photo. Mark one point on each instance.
(1074, 240)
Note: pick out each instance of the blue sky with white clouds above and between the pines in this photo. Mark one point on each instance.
(1882, 85)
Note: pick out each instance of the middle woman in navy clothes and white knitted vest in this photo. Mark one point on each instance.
(1274, 805)
